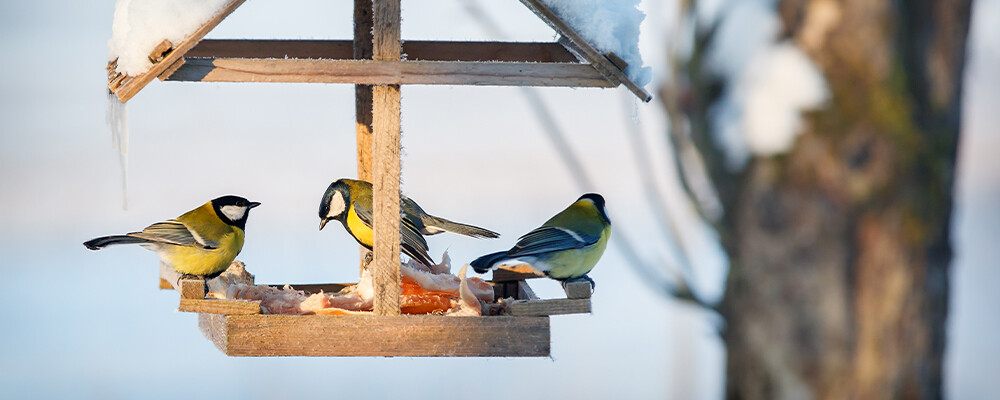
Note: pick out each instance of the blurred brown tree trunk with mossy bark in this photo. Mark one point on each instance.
(840, 249)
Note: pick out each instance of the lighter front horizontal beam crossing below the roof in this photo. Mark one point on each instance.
(369, 72)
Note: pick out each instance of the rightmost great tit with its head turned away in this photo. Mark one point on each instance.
(565, 248)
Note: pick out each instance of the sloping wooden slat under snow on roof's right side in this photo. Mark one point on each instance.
(586, 50)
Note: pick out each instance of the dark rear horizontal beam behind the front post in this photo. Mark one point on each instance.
(414, 50)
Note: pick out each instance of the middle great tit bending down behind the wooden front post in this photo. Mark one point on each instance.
(350, 202)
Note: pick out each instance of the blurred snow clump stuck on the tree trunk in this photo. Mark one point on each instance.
(769, 83)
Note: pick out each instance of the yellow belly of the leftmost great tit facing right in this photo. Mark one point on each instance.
(197, 261)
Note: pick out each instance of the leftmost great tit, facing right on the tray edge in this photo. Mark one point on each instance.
(201, 242)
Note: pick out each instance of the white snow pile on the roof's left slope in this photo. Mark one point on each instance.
(140, 25)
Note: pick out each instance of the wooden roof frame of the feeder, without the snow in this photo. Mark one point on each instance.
(572, 62)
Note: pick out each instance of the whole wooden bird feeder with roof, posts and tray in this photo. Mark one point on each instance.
(374, 62)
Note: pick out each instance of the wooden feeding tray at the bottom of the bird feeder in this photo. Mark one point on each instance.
(240, 328)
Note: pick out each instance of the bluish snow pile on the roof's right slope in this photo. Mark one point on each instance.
(609, 25)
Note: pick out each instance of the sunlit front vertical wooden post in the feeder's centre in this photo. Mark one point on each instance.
(385, 162)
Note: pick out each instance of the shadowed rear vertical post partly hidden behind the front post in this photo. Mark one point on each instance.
(363, 97)
